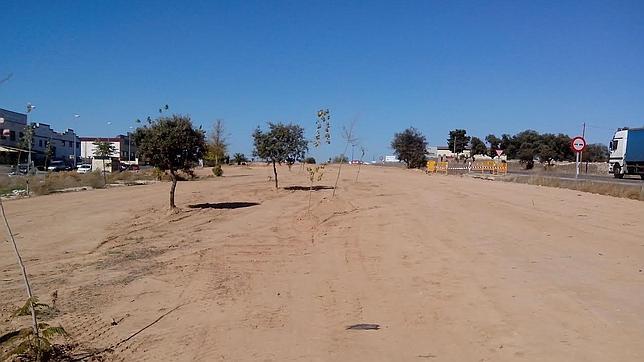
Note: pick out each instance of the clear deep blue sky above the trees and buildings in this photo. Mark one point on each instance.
(489, 67)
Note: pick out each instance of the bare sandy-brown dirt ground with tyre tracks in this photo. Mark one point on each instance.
(451, 268)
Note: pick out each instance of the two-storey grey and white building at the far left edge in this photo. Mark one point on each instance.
(61, 144)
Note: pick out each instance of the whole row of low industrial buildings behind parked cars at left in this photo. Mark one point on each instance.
(65, 146)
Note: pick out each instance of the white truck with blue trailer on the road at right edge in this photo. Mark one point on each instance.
(627, 153)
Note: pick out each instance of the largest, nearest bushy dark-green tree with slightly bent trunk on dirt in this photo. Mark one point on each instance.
(171, 144)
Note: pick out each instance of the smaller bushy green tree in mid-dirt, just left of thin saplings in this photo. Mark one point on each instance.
(281, 143)
